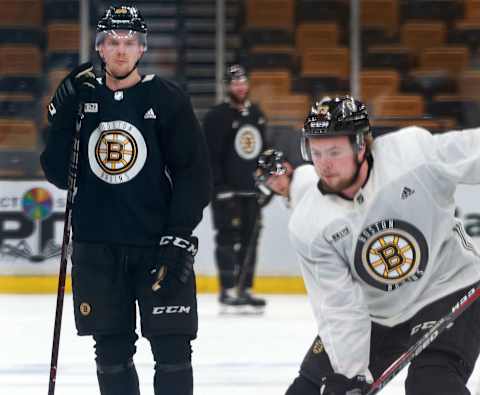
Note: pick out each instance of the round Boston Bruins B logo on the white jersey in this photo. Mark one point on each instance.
(389, 253)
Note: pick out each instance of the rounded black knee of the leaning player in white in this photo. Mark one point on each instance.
(439, 373)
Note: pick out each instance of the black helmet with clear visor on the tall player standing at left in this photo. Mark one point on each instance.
(123, 17)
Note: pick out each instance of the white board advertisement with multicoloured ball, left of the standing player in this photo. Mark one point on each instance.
(31, 227)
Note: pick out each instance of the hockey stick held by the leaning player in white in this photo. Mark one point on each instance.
(440, 326)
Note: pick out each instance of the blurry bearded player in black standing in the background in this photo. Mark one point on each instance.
(235, 131)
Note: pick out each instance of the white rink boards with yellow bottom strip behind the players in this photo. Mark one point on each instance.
(31, 229)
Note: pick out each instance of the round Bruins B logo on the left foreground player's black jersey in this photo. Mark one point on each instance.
(116, 151)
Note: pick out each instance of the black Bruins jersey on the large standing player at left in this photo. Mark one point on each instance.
(143, 168)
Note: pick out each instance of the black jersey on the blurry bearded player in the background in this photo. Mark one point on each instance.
(235, 139)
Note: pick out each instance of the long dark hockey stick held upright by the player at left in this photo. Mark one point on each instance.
(71, 191)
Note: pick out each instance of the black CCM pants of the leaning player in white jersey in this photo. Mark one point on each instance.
(443, 368)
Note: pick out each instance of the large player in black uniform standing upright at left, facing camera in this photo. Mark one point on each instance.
(143, 183)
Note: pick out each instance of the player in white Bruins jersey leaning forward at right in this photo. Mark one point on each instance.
(382, 255)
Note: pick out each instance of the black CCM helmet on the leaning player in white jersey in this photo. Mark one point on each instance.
(342, 116)
